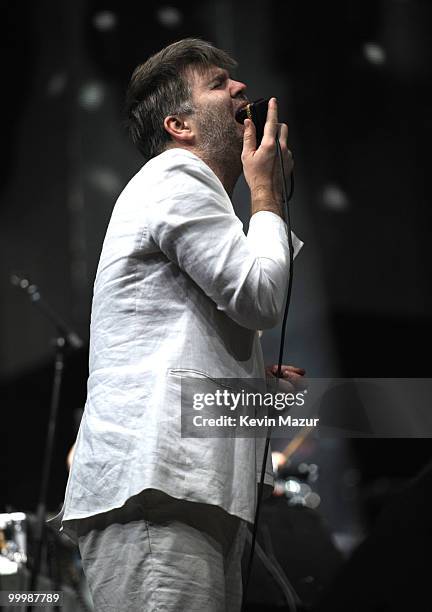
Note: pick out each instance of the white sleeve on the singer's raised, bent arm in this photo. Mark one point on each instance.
(194, 225)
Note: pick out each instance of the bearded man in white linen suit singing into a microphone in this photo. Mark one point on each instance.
(180, 294)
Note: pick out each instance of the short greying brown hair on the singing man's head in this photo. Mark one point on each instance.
(159, 88)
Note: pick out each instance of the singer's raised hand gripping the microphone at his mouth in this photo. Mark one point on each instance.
(261, 166)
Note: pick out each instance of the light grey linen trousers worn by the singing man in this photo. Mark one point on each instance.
(162, 554)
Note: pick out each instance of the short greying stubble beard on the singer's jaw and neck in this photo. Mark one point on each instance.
(220, 137)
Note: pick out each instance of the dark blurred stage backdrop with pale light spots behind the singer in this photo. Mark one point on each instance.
(353, 83)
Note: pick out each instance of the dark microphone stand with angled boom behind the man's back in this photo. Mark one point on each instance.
(65, 337)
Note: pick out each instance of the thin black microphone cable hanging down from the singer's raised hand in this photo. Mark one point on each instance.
(286, 199)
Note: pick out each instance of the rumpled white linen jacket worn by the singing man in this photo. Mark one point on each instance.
(180, 291)
